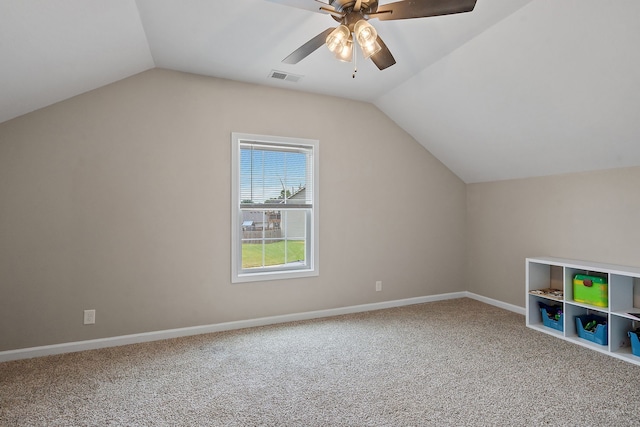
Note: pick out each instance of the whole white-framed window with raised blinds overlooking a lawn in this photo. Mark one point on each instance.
(274, 207)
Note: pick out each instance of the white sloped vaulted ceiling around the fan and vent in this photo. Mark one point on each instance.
(516, 88)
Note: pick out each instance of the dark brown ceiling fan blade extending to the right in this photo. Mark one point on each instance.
(422, 8)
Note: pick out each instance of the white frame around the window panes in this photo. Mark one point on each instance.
(238, 275)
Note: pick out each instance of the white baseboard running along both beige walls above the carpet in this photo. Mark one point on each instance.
(47, 350)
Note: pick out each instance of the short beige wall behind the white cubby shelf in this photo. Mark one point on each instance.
(588, 216)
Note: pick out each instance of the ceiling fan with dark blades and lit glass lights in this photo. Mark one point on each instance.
(353, 16)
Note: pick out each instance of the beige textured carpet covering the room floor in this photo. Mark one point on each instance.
(453, 363)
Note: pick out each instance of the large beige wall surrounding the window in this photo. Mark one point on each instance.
(118, 200)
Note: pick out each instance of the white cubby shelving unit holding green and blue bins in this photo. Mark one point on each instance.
(557, 273)
